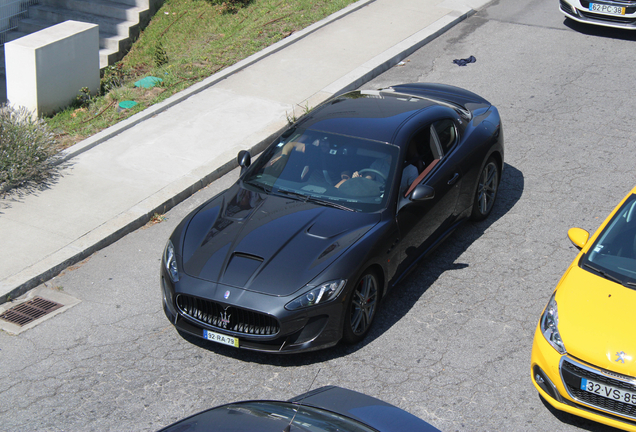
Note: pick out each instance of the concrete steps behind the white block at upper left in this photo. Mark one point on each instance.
(119, 21)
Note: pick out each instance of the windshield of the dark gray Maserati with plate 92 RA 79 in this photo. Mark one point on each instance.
(342, 171)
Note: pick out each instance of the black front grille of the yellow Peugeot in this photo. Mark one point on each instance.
(572, 374)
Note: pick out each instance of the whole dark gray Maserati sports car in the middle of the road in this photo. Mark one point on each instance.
(299, 252)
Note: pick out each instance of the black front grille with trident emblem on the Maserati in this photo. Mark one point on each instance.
(228, 318)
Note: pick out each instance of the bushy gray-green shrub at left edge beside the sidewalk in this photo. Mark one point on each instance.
(27, 148)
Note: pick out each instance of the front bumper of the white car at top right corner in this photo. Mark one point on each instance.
(580, 10)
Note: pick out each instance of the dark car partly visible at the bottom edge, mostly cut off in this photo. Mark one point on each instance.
(326, 409)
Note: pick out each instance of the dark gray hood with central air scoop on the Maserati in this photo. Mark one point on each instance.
(268, 244)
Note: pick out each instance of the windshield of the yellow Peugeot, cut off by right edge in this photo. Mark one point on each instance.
(614, 252)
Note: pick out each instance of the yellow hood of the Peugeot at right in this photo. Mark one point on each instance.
(597, 320)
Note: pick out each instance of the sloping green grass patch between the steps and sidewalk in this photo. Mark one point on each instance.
(186, 42)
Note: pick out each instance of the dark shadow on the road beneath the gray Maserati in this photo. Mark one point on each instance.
(394, 307)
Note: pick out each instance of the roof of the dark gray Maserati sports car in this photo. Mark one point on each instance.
(369, 114)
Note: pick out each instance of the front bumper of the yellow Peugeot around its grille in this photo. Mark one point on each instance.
(557, 377)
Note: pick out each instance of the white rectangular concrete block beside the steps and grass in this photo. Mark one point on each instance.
(45, 70)
